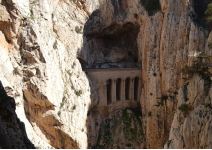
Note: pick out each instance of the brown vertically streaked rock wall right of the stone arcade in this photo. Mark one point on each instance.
(170, 41)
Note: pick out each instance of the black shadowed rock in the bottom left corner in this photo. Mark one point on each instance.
(12, 130)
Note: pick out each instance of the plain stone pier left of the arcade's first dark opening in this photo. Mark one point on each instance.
(102, 93)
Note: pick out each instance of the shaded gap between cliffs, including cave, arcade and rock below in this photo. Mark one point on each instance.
(111, 61)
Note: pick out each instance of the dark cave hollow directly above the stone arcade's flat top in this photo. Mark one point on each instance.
(113, 47)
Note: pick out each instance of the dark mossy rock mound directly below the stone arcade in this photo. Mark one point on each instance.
(121, 130)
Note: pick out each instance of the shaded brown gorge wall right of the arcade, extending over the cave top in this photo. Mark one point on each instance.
(171, 43)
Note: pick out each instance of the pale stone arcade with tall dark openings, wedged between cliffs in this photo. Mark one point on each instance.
(118, 88)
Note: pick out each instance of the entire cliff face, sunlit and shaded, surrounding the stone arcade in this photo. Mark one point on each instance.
(44, 45)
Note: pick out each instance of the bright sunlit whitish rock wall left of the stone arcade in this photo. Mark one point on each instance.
(39, 63)
